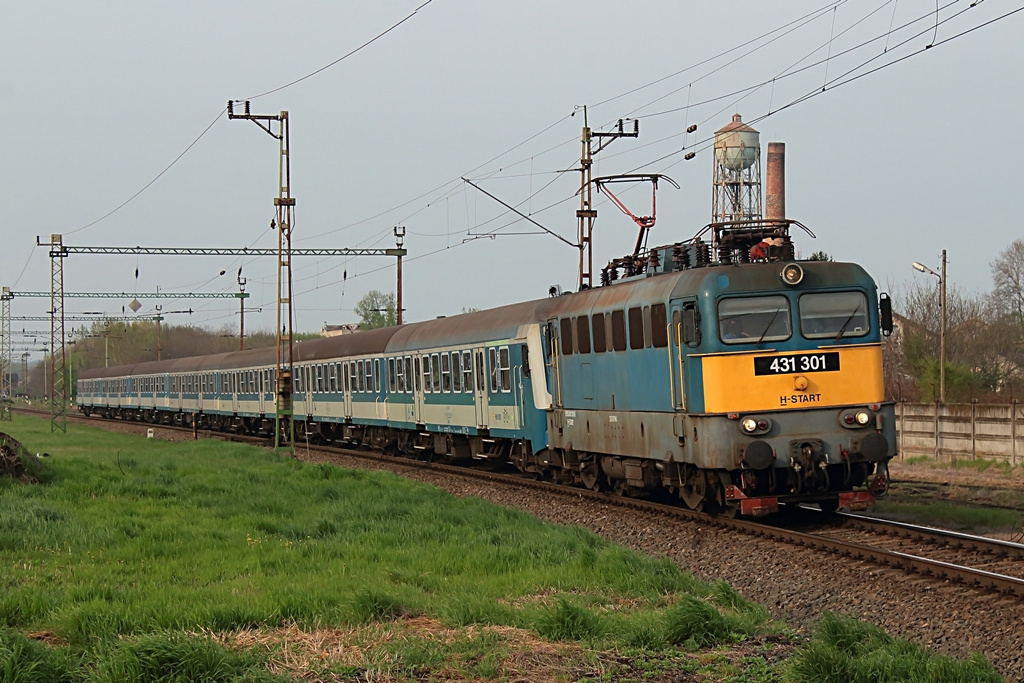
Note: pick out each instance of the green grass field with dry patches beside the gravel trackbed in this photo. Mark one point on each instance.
(147, 561)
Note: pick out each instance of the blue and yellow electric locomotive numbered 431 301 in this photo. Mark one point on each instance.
(737, 387)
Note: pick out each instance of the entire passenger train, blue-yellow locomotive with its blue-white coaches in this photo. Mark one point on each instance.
(735, 385)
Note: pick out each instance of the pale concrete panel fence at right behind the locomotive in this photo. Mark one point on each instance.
(962, 432)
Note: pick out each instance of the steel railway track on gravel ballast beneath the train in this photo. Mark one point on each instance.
(933, 554)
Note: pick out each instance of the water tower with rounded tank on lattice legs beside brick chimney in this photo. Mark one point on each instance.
(738, 174)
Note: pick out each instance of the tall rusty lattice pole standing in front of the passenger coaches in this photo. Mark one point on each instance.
(284, 430)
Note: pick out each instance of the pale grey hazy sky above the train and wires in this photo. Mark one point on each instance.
(116, 136)
